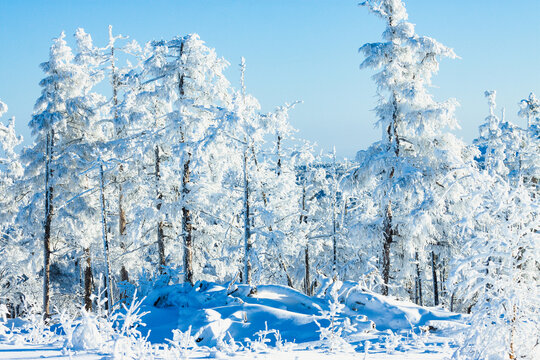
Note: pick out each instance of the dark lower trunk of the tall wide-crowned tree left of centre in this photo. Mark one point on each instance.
(186, 225)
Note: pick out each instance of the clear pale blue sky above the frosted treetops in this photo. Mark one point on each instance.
(296, 50)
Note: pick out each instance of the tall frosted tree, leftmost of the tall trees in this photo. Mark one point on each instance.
(61, 154)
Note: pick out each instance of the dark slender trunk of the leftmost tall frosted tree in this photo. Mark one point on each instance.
(49, 212)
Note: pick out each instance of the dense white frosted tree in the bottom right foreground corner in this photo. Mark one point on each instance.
(498, 272)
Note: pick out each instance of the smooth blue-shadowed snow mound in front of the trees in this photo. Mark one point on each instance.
(217, 312)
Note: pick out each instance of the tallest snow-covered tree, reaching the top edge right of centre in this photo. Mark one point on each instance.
(414, 171)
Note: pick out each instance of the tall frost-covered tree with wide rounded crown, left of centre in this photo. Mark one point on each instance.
(183, 89)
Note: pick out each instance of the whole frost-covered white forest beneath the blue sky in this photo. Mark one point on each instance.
(176, 182)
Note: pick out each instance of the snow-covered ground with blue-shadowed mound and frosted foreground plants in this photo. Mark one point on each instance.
(244, 322)
